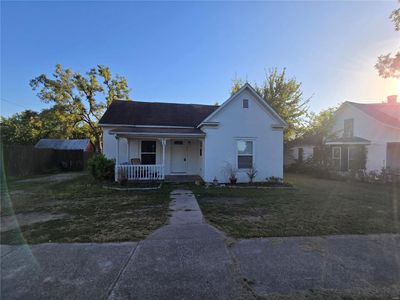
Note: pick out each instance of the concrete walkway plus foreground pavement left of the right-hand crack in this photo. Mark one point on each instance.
(186, 259)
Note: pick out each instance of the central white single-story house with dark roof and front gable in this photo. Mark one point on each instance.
(150, 140)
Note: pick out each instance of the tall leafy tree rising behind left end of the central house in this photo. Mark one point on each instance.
(84, 97)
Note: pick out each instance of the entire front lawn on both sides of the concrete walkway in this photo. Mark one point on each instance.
(93, 214)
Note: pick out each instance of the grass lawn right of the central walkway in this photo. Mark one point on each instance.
(312, 207)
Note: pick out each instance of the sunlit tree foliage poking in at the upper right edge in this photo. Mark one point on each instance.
(388, 65)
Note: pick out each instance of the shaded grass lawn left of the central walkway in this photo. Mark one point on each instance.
(80, 210)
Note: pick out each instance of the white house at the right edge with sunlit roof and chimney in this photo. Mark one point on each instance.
(375, 125)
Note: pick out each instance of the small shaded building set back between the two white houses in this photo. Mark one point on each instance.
(300, 150)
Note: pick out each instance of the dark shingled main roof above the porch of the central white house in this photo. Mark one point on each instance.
(122, 112)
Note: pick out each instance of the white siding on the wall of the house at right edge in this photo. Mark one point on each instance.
(368, 128)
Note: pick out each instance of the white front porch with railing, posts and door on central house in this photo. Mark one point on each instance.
(155, 156)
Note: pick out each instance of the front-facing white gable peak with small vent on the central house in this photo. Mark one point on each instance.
(246, 93)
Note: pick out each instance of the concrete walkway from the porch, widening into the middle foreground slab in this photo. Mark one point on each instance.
(186, 259)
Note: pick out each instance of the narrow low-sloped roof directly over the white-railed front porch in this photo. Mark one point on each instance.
(158, 132)
